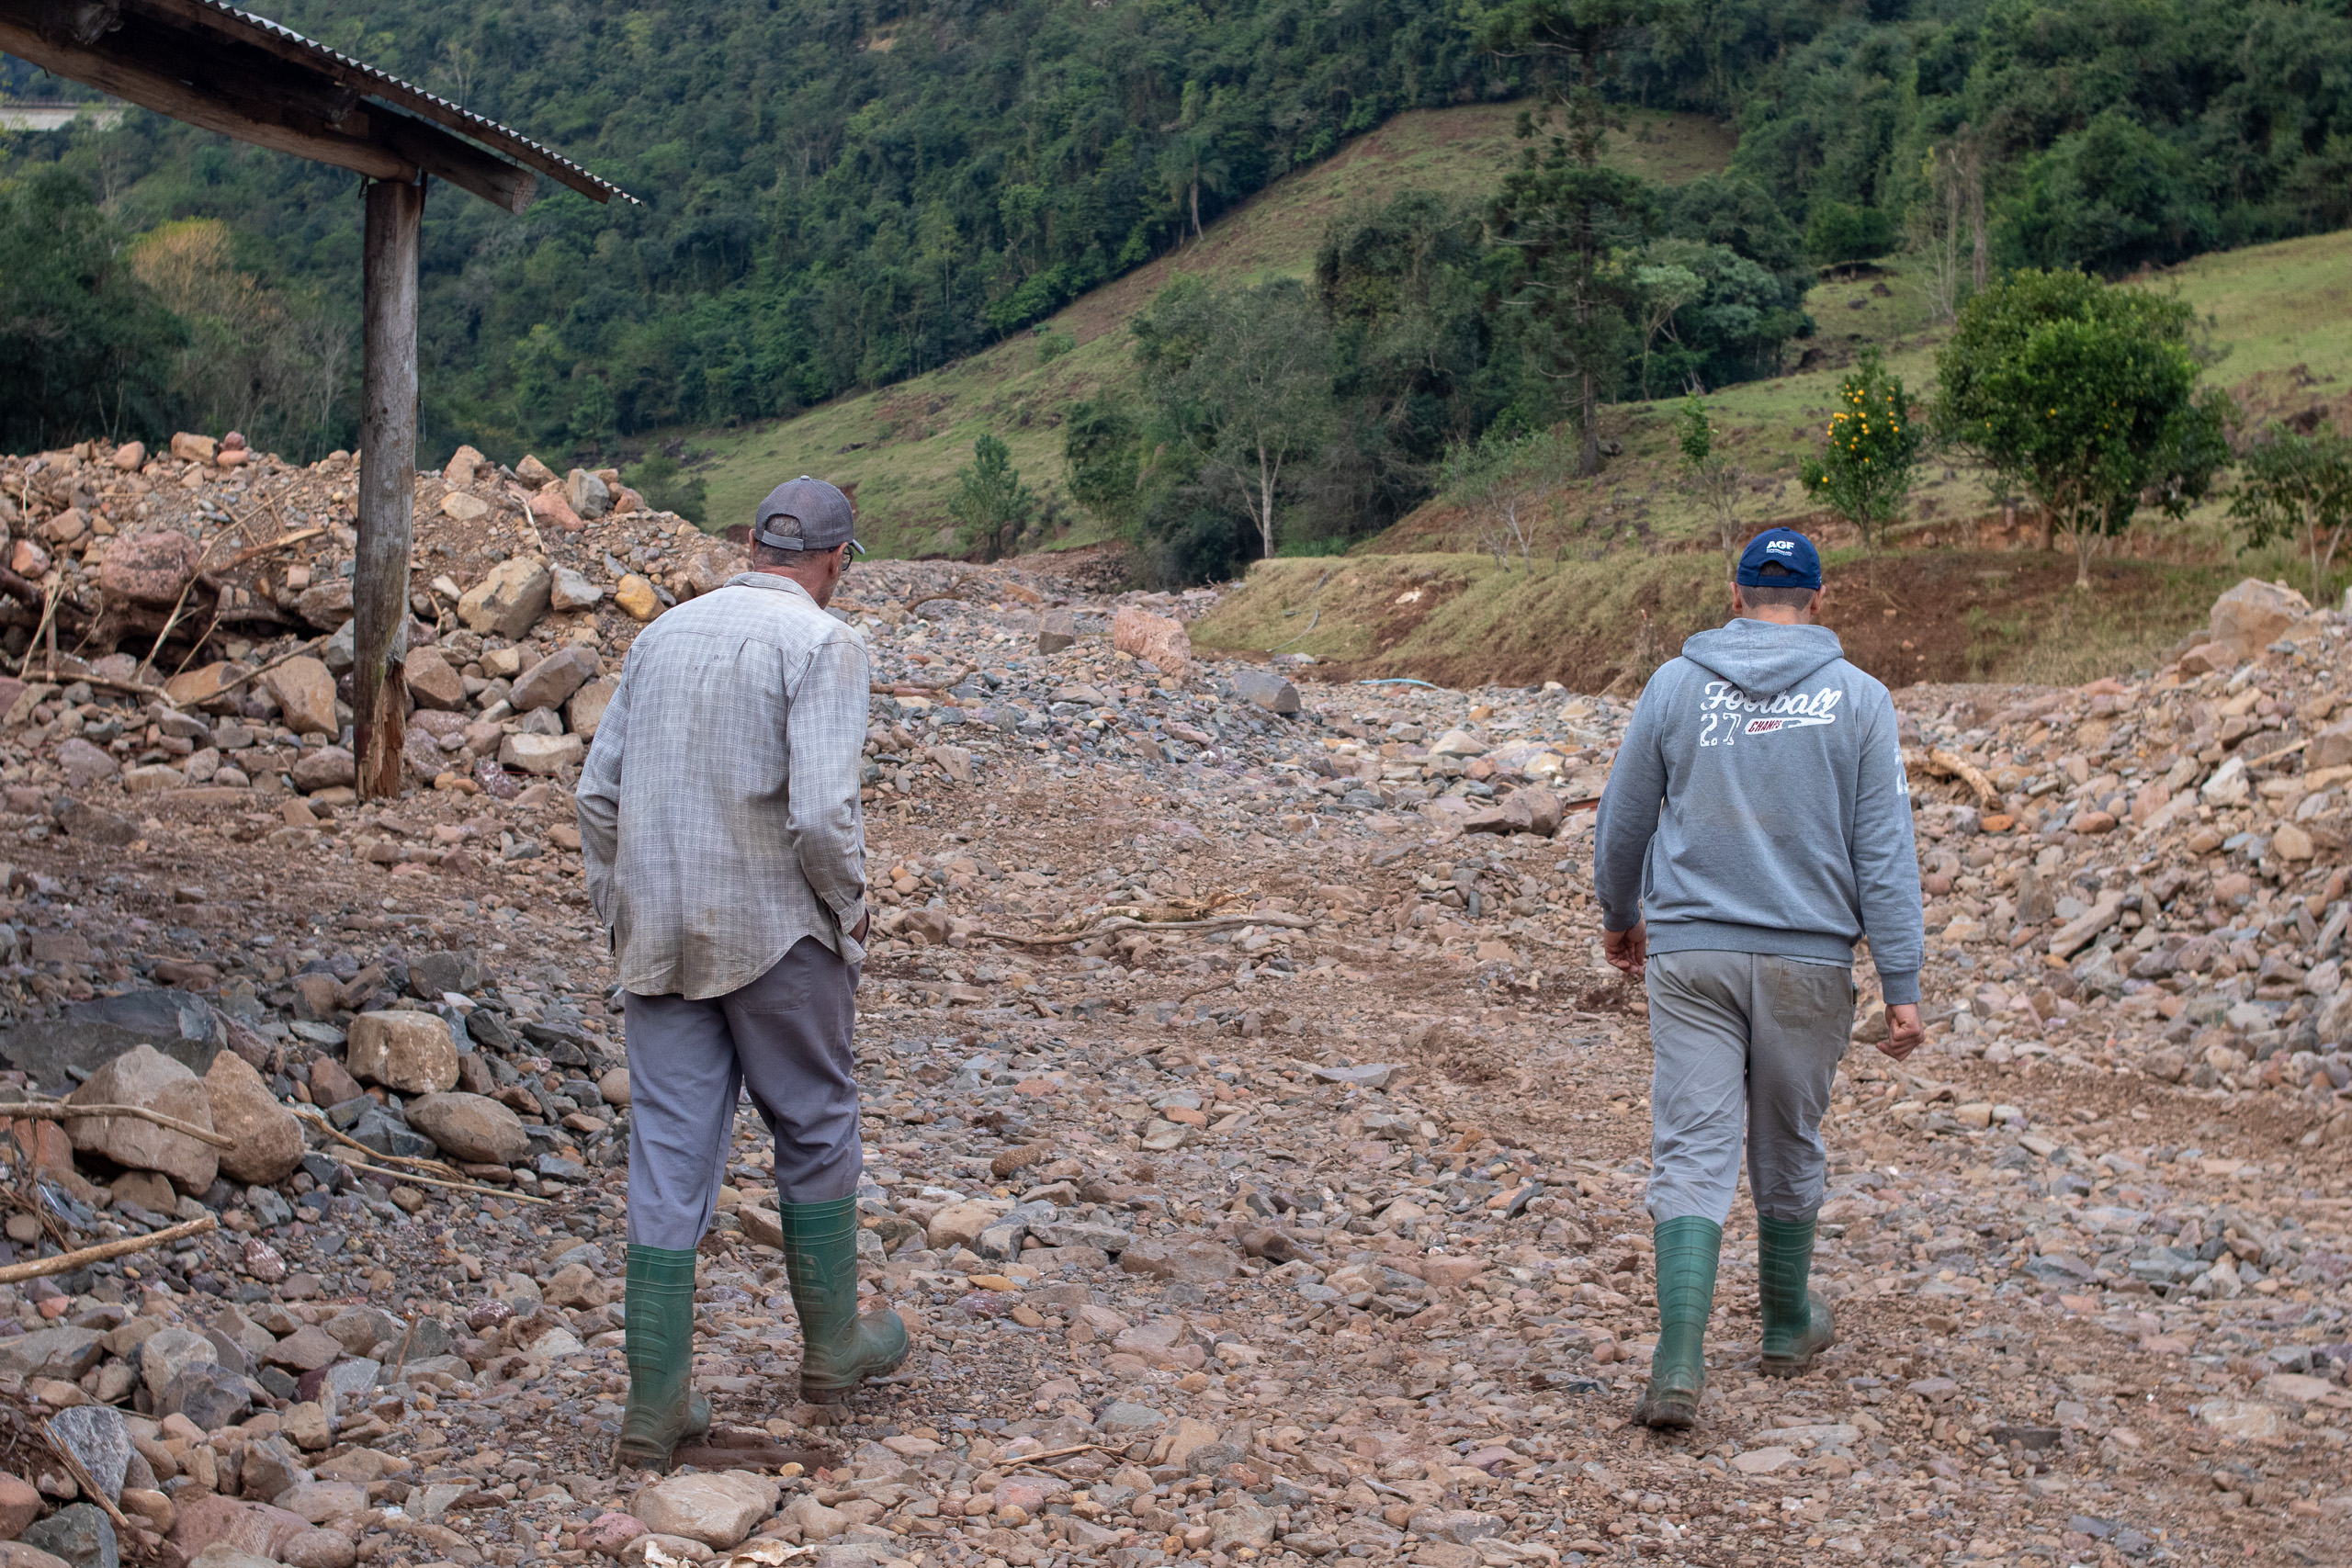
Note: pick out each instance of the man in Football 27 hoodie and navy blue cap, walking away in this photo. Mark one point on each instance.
(1756, 826)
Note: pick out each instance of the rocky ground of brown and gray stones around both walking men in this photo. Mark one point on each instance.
(1255, 1139)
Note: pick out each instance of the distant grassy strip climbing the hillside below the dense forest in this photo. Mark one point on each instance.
(904, 443)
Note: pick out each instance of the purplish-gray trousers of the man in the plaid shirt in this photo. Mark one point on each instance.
(789, 1040)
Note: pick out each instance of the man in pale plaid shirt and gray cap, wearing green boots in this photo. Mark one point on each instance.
(726, 852)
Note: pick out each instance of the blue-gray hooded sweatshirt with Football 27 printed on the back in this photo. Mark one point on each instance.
(1758, 805)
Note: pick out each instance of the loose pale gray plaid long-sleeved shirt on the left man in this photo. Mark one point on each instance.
(721, 800)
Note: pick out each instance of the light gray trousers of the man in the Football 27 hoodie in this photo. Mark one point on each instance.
(1742, 1043)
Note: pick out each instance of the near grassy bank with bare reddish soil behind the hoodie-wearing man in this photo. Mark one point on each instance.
(1631, 551)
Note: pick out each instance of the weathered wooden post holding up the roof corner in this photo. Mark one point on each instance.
(380, 582)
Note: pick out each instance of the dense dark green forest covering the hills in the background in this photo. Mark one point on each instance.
(843, 196)
